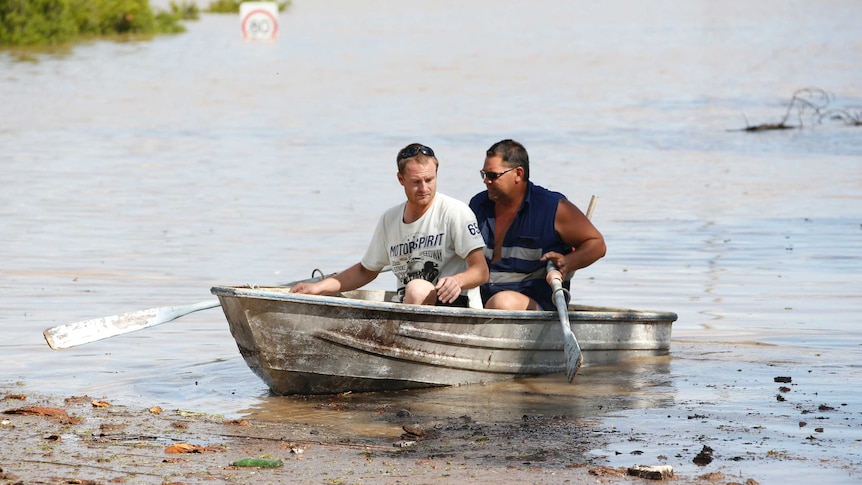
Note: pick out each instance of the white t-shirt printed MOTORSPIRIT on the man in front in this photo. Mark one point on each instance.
(432, 247)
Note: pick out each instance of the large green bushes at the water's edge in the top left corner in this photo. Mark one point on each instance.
(53, 22)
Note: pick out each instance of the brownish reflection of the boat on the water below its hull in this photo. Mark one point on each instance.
(596, 391)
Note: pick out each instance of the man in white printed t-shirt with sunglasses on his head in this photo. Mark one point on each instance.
(431, 241)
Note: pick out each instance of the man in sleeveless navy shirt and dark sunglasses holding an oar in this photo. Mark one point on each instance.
(525, 225)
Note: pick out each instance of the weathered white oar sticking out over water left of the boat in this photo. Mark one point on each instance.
(79, 333)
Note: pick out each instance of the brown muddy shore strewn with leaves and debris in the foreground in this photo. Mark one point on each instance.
(80, 439)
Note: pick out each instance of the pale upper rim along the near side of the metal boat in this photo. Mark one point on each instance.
(576, 312)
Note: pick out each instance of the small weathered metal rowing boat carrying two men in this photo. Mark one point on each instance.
(358, 341)
